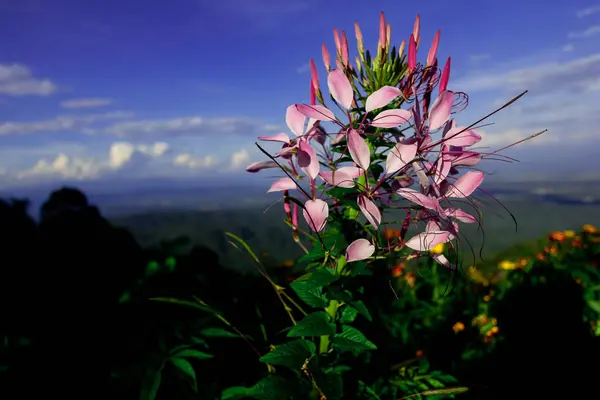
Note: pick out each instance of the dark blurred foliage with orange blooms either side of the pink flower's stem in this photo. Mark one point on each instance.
(87, 310)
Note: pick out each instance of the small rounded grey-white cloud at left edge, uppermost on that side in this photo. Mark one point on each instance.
(18, 80)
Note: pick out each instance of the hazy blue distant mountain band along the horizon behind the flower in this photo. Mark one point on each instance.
(122, 198)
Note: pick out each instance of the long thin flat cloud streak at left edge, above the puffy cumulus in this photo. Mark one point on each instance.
(60, 123)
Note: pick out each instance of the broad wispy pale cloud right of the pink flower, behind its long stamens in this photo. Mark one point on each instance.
(562, 98)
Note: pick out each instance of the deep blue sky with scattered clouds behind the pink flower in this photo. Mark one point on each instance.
(100, 89)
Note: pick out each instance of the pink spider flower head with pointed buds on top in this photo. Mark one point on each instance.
(386, 144)
